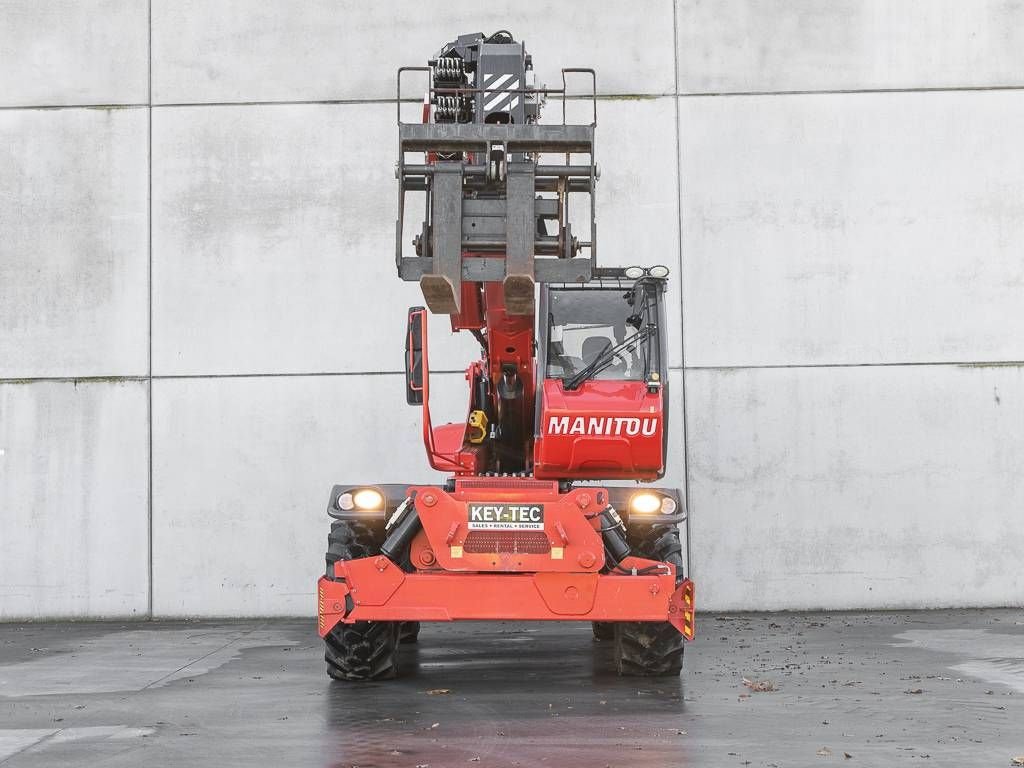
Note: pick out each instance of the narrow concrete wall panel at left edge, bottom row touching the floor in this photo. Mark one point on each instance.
(74, 500)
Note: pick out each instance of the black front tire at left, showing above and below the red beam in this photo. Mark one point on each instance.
(365, 651)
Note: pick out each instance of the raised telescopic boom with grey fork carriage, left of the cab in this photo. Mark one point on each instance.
(485, 241)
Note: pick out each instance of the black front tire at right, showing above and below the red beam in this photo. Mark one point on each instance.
(652, 649)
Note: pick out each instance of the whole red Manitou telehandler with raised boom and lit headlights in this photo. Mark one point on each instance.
(571, 392)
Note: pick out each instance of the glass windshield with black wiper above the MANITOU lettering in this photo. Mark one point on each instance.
(604, 334)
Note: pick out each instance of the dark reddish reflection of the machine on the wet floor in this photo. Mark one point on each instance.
(508, 696)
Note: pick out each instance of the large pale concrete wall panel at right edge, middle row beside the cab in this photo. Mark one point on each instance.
(854, 229)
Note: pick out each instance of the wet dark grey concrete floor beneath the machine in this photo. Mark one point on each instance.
(929, 689)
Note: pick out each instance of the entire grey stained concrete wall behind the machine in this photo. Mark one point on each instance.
(200, 327)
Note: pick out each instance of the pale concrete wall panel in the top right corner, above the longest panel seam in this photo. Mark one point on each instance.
(793, 46)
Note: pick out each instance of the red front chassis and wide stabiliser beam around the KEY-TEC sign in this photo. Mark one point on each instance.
(567, 580)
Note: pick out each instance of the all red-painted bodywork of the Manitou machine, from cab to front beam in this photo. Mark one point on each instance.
(509, 509)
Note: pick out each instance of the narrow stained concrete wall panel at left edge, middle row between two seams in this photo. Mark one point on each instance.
(74, 251)
